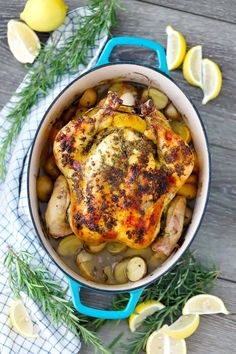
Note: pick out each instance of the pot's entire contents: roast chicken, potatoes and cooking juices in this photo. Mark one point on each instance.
(140, 170)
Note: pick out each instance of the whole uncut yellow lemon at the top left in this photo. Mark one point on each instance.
(44, 15)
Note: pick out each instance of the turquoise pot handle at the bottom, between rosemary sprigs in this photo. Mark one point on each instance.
(93, 312)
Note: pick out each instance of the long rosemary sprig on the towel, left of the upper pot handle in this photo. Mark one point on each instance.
(52, 63)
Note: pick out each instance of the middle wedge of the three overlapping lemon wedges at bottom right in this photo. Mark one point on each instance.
(183, 328)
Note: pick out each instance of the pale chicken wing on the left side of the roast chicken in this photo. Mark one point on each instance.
(56, 213)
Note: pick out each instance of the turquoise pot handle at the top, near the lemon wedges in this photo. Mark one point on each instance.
(135, 41)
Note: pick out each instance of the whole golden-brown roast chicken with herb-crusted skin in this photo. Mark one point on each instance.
(121, 176)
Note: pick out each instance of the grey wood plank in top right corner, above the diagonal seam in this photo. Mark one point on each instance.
(222, 10)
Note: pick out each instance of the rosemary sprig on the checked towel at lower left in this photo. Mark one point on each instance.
(37, 283)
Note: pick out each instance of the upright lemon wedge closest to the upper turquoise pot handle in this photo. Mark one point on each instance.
(176, 48)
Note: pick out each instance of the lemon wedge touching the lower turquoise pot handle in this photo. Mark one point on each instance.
(142, 311)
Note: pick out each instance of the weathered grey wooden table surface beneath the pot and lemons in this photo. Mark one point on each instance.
(212, 24)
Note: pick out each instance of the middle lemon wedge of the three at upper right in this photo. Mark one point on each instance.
(192, 66)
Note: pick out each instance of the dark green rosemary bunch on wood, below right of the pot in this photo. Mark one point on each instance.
(186, 279)
